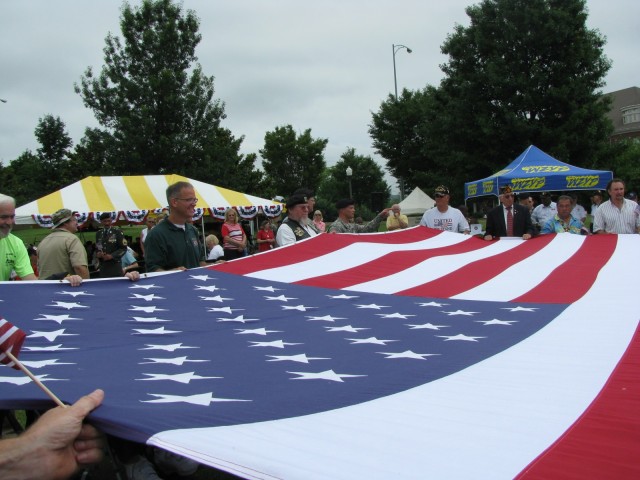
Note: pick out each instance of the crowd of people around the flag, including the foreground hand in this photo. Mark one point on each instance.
(62, 441)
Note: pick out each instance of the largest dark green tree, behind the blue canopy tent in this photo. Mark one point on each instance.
(523, 72)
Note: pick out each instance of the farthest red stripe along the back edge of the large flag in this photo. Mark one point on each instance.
(317, 246)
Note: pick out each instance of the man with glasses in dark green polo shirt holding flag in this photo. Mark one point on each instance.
(174, 244)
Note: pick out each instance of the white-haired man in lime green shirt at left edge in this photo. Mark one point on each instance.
(13, 253)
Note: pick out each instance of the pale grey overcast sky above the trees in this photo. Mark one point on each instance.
(324, 65)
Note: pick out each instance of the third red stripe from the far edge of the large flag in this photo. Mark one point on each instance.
(478, 272)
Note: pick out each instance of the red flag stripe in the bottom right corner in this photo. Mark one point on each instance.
(604, 443)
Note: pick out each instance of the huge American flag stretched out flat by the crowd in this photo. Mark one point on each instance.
(412, 354)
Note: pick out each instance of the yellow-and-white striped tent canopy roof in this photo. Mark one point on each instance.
(133, 193)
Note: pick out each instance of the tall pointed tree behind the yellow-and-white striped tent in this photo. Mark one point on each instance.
(154, 103)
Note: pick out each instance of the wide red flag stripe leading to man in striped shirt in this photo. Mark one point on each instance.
(573, 278)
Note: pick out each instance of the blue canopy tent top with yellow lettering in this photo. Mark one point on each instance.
(536, 171)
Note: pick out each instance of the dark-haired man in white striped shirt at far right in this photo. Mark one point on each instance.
(618, 214)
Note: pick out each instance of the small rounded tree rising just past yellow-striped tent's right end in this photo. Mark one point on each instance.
(291, 161)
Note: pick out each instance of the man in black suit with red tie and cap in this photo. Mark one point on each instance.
(507, 219)
